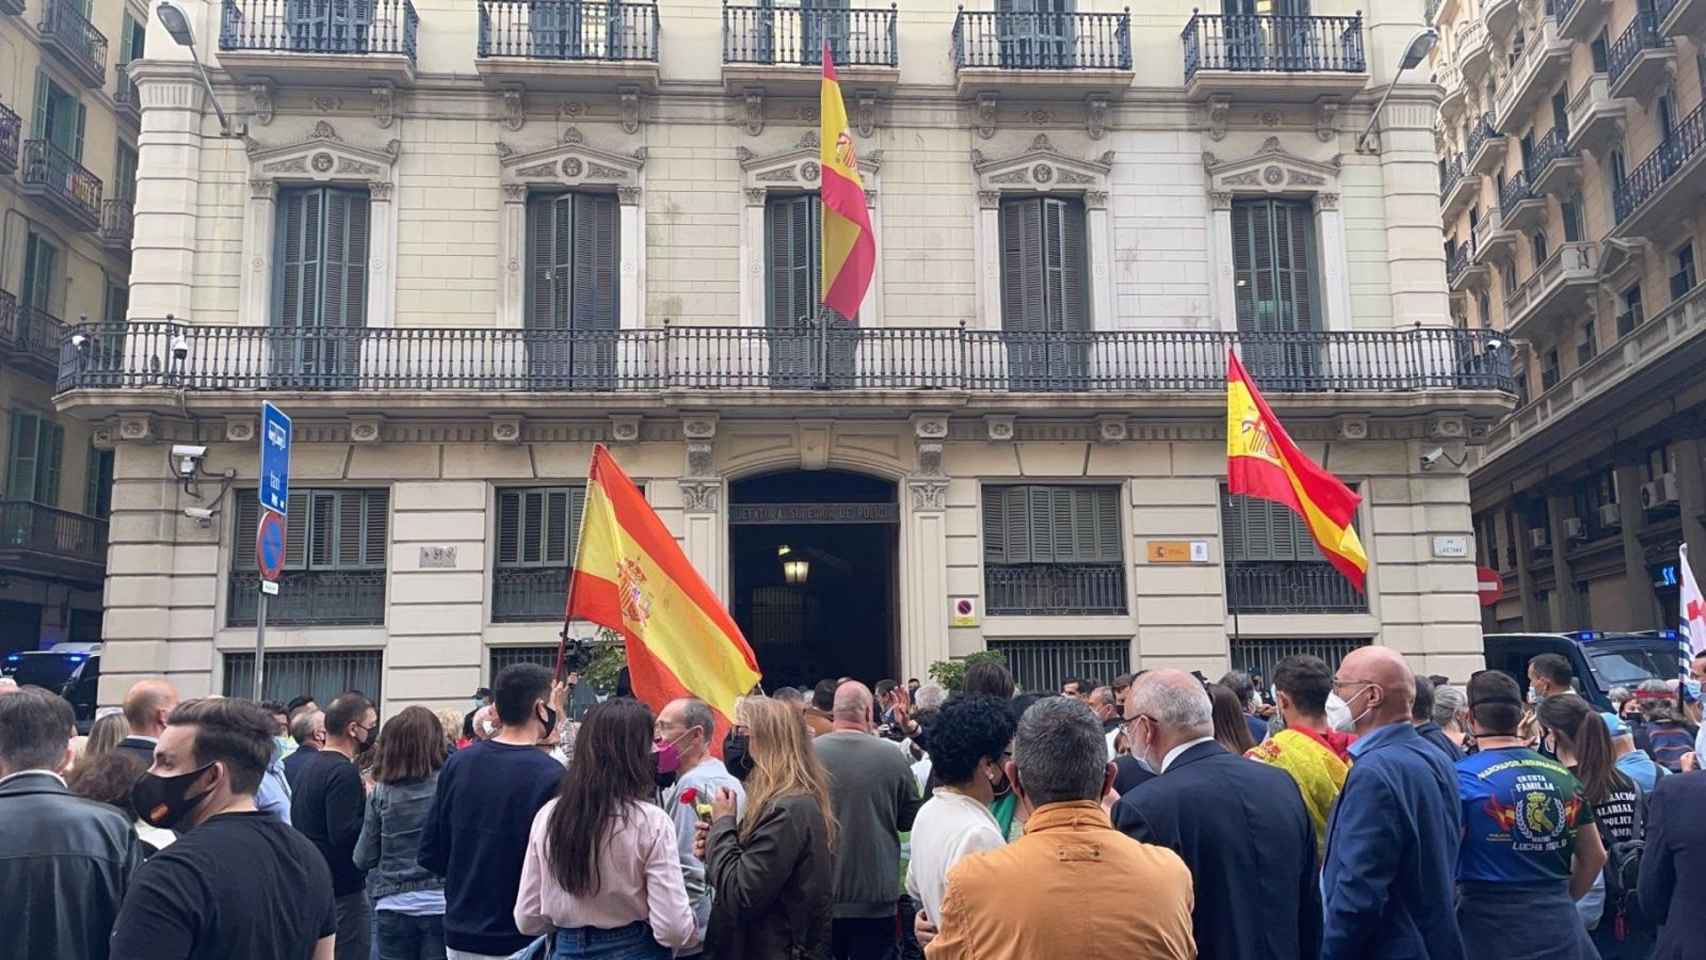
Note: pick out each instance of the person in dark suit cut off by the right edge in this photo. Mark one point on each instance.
(1674, 865)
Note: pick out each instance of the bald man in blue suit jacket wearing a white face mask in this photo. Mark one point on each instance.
(1395, 833)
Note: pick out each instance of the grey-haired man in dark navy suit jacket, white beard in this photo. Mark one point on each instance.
(1241, 828)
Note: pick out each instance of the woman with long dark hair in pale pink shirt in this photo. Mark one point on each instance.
(603, 867)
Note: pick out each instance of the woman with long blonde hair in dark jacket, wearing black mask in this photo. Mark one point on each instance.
(772, 869)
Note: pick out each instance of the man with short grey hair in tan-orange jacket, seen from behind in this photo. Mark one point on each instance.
(1071, 877)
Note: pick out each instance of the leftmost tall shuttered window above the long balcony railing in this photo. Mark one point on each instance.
(322, 258)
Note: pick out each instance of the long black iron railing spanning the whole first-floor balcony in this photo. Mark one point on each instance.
(151, 354)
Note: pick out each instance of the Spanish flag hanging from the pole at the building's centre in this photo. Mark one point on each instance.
(850, 248)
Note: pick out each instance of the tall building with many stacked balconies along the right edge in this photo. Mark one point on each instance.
(1572, 170)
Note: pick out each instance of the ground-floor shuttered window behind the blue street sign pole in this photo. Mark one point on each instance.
(328, 529)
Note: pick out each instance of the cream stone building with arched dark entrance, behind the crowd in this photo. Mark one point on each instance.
(465, 246)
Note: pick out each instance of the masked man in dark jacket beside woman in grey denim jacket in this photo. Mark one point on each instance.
(328, 806)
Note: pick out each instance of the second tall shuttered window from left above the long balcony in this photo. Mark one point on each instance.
(572, 262)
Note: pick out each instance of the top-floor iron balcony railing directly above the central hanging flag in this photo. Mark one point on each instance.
(798, 35)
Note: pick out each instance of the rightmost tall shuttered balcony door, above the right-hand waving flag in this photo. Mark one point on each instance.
(1275, 289)
